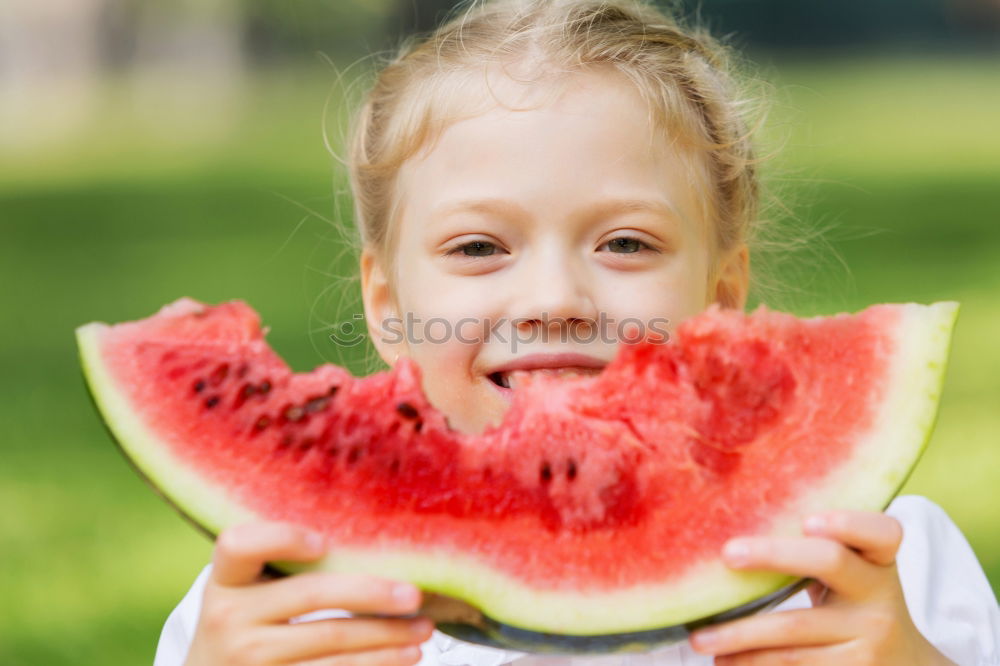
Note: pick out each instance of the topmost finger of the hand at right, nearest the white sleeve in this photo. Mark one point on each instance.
(875, 535)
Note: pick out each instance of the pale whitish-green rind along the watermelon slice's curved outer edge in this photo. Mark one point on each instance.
(868, 482)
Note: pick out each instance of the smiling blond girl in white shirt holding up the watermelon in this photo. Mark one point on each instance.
(533, 168)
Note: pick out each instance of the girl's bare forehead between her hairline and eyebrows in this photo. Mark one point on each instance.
(595, 132)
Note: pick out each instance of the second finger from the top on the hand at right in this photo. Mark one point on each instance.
(840, 568)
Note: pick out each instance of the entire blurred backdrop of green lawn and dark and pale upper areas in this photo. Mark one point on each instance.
(151, 150)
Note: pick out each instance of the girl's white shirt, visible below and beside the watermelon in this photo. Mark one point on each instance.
(946, 591)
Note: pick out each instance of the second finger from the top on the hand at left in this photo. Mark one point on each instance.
(279, 600)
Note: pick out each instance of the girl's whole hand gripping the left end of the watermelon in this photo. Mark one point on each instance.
(244, 619)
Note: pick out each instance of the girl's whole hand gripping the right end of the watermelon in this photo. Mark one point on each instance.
(862, 619)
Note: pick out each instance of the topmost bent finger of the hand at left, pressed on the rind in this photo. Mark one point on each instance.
(241, 551)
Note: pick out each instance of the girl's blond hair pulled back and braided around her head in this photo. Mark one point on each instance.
(683, 74)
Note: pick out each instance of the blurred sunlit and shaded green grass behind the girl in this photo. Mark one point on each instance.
(899, 160)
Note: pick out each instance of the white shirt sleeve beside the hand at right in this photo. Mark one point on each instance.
(948, 596)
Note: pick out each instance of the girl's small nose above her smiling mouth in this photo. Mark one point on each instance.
(554, 290)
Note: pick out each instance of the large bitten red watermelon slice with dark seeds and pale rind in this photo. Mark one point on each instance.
(592, 518)
